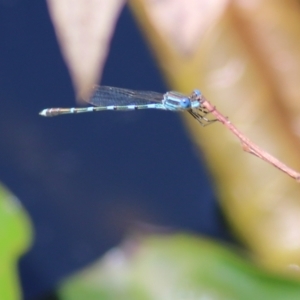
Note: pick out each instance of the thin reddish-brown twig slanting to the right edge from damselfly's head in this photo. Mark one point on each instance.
(247, 145)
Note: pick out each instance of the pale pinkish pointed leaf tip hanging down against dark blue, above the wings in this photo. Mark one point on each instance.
(84, 29)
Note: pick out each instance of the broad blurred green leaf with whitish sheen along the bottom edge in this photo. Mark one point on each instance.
(175, 267)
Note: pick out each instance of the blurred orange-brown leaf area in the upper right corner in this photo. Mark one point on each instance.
(272, 35)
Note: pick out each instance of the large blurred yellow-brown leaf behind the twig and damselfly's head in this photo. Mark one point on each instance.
(246, 60)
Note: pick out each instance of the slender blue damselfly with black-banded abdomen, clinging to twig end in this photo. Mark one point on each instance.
(113, 98)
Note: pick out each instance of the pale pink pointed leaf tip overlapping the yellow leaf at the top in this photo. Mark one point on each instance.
(180, 22)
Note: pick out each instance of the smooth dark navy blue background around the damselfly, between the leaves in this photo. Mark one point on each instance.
(86, 180)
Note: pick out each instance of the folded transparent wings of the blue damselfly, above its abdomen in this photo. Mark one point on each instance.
(107, 95)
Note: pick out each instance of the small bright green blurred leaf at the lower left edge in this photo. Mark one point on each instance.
(15, 239)
